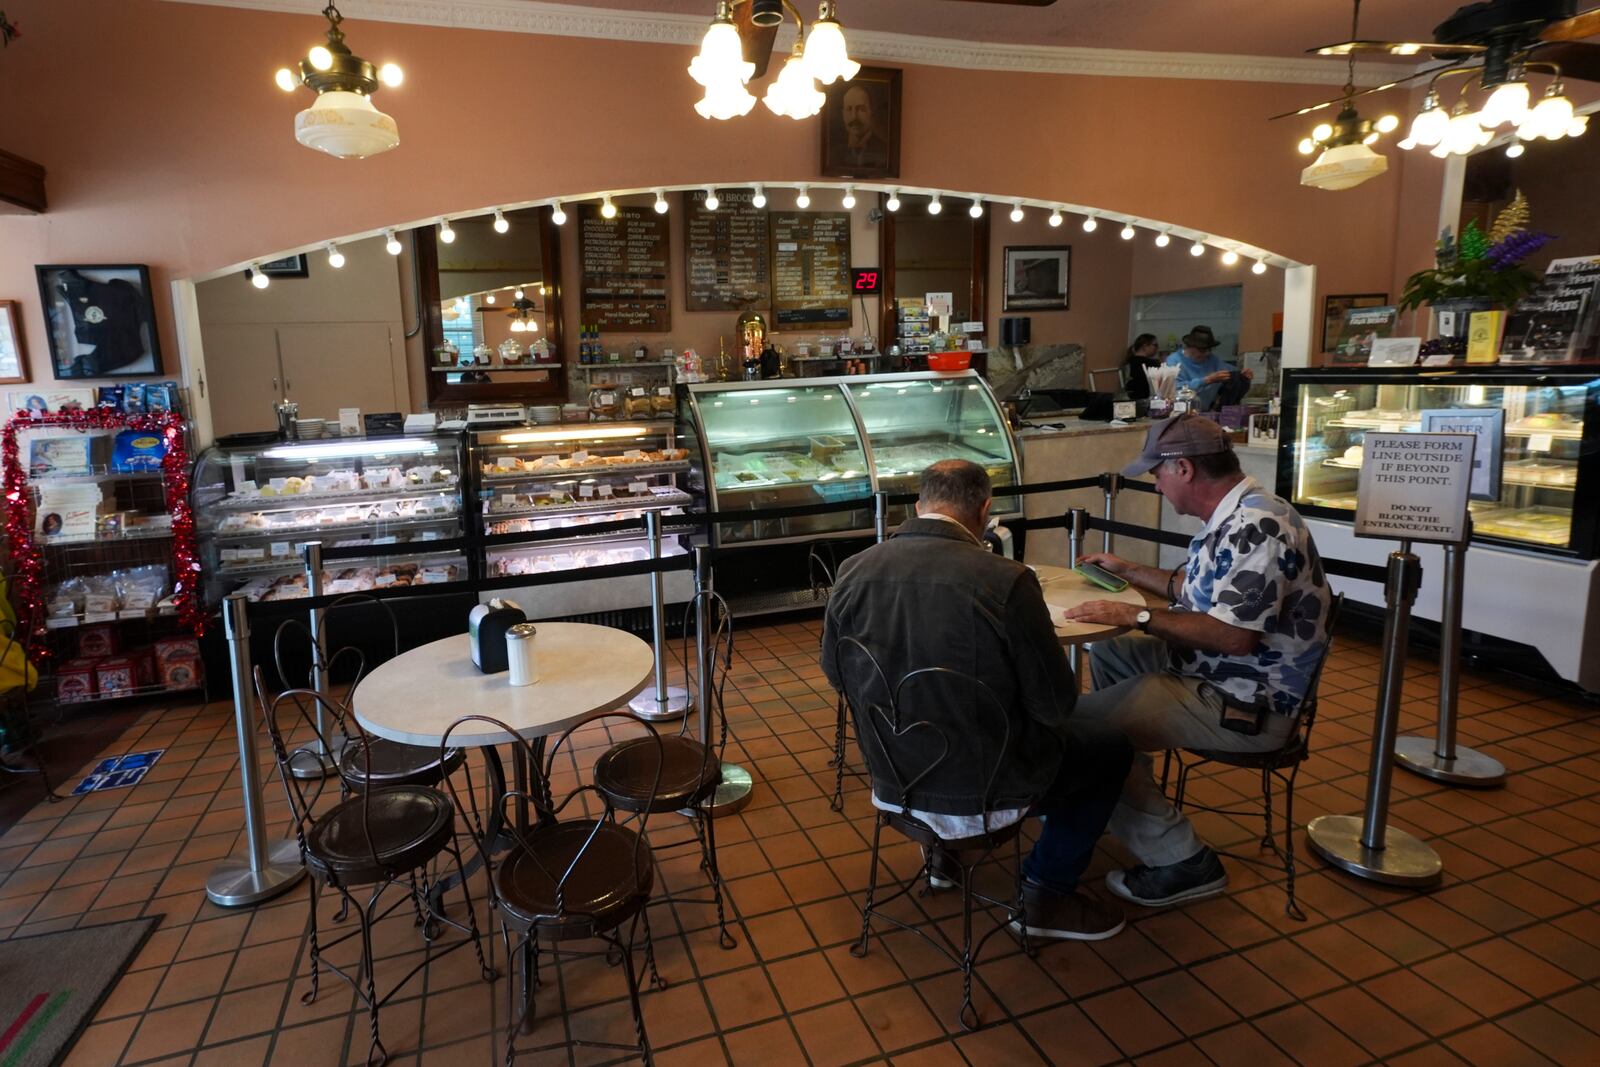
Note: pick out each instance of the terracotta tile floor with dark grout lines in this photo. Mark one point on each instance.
(1500, 965)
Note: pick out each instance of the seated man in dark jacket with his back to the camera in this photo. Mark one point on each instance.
(934, 596)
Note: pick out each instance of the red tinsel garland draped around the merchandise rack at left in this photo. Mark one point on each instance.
(30, 562)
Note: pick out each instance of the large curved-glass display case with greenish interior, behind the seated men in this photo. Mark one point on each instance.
(770, 446)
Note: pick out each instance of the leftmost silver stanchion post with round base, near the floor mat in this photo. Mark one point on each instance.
(265, 873)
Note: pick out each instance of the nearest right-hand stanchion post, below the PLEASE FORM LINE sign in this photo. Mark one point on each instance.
(1366, 845)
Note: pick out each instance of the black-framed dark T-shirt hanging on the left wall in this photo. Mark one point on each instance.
(100, 322)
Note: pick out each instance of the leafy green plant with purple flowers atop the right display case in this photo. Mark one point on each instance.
(1481, 271)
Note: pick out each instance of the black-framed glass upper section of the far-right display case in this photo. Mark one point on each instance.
(1551, 462)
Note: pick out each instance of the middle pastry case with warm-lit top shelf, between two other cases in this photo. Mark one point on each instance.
(569, 478)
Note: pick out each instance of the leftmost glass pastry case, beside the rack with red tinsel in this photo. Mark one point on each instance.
(399, 498)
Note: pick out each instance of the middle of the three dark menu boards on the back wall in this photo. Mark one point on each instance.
(726, 255)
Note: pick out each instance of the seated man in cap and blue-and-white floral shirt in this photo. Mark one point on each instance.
(1225, 666)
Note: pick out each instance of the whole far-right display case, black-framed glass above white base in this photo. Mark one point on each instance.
(1534, 578)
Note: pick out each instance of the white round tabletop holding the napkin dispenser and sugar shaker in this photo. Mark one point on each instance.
(582, 669)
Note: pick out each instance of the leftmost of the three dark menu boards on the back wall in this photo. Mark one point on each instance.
(623, 271)
